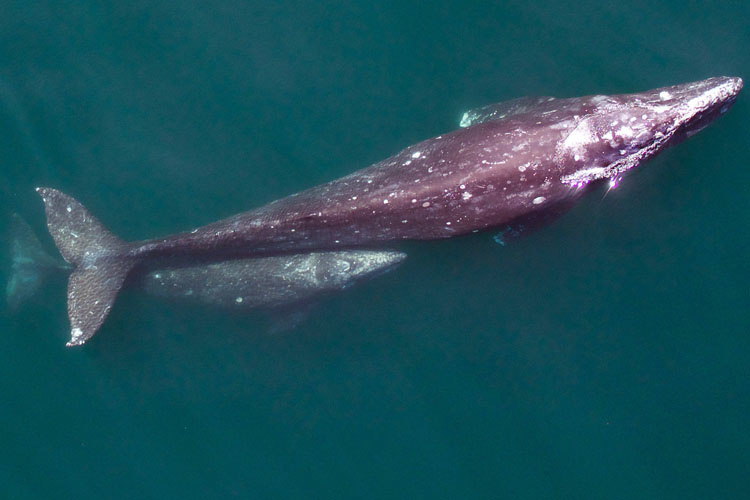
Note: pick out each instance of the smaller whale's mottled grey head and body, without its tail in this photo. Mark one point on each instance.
(267, 282)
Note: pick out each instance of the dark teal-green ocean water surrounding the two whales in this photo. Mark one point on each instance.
(604, 356)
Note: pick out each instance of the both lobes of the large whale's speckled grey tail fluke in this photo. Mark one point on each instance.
(99, 258)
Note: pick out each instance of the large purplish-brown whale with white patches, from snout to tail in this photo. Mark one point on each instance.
(520, 160)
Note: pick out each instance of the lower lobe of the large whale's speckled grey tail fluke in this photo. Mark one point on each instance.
(91, 293)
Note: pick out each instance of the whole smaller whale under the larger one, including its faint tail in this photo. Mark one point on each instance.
(238, 284)
